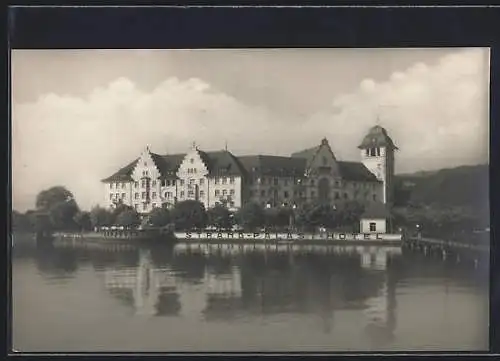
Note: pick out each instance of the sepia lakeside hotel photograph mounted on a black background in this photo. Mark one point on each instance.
(250, 200)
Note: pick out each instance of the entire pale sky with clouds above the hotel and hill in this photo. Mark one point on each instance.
(79, 115)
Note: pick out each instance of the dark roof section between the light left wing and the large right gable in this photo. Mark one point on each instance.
(273, 165)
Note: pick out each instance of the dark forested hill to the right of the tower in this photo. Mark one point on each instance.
(465, 186)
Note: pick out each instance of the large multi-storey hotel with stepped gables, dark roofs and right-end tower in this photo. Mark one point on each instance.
(221, 177)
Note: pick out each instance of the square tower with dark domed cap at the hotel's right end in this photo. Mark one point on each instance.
(377, 154)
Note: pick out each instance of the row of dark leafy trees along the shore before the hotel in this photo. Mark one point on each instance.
(56, 210)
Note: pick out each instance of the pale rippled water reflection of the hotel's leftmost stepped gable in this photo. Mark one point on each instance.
(150, 290)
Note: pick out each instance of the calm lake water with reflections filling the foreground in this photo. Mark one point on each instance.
(165, 300)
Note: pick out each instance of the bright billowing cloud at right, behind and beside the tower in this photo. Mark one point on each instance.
(437, 115)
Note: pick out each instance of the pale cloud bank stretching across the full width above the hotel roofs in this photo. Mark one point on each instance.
(438, 118)
